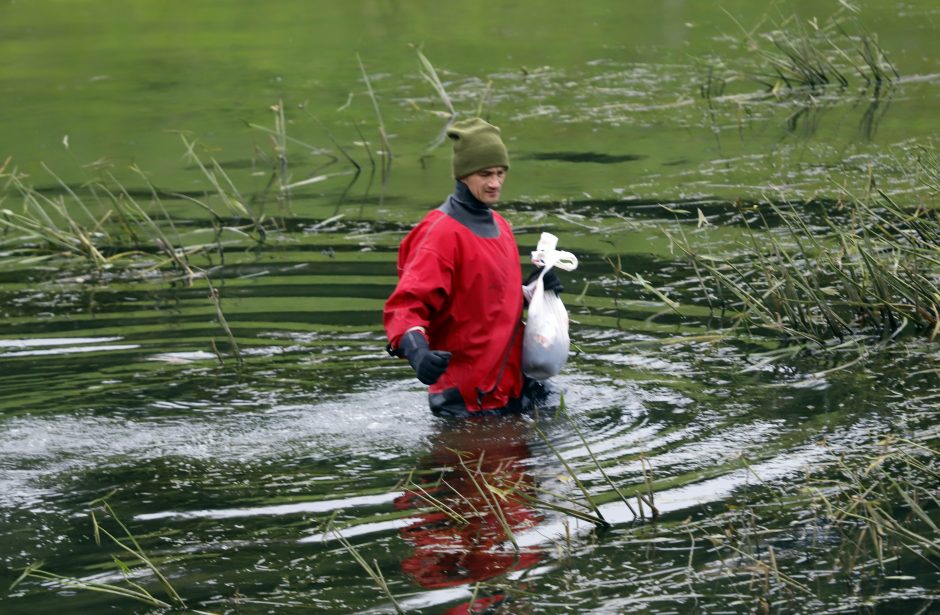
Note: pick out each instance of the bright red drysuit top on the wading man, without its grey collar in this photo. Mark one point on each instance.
(464, 290)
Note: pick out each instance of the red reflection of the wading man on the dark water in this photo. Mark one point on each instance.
(470, 480)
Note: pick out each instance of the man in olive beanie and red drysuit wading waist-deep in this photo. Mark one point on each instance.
(456, 314)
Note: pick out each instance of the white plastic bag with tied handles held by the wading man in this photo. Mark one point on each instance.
(545, 343)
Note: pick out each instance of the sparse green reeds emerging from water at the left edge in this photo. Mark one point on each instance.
(105, 226)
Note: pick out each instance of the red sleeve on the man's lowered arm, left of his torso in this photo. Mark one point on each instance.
(424, 285)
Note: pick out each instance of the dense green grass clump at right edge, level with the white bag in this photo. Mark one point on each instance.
(872, 269)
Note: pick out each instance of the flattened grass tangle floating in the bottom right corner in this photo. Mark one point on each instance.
(857, 528)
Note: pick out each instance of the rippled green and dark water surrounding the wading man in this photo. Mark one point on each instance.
(226, 473)
